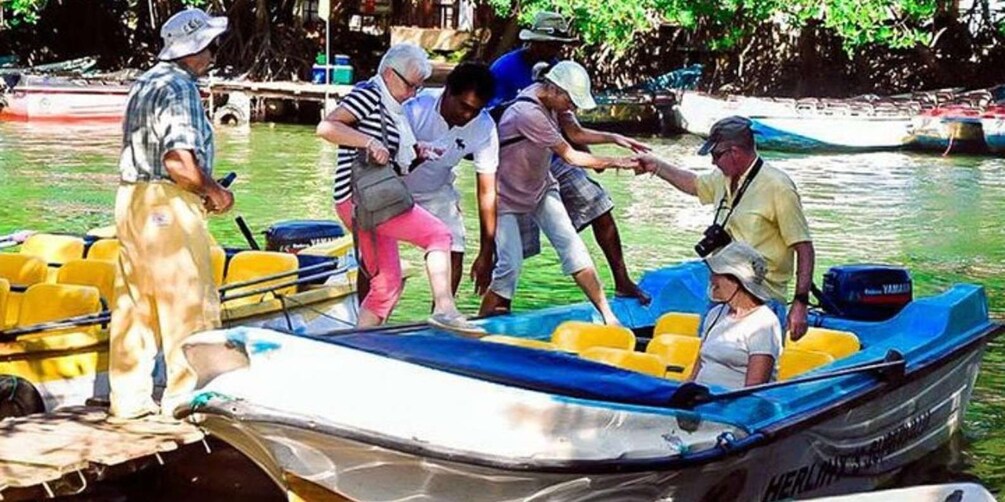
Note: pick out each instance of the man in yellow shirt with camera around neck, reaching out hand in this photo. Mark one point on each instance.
(755, 203)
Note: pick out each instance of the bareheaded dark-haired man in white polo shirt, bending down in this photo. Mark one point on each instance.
(454, 122)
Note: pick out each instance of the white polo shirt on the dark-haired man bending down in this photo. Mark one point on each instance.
(478, 137)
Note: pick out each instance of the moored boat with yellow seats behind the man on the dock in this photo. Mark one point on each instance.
(56, 295)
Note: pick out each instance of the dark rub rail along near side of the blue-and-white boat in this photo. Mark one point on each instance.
(785, 428)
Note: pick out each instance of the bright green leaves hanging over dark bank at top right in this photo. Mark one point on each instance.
(892, 24)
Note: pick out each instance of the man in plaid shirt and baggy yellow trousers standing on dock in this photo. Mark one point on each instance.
(165, 290)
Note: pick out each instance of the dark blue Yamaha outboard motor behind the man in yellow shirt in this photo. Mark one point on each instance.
(866, 293)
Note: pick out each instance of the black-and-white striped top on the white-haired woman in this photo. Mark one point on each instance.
(364, 104)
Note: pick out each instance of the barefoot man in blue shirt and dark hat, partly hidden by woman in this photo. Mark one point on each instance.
(587, 202)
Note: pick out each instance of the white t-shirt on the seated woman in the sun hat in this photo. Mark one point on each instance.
(729, 344)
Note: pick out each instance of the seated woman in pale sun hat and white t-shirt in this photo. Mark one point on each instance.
(742, 338)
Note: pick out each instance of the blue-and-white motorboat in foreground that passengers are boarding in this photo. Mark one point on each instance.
(411, 413)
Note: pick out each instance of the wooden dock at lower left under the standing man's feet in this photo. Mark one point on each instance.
(66, 452)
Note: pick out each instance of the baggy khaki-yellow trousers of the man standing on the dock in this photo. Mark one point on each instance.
(164, 294)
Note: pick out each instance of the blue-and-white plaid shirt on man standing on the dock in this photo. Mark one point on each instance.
(165, 113)
